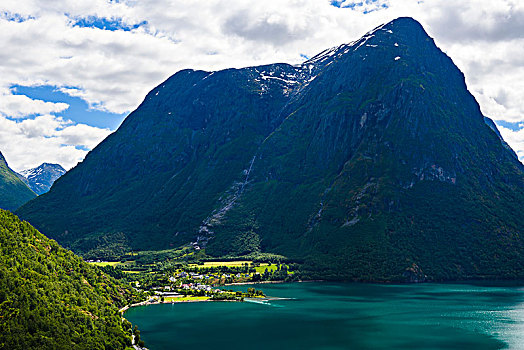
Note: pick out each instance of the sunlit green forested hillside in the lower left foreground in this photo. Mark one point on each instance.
(52, 299)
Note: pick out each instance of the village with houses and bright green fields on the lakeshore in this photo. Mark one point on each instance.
(196, 282)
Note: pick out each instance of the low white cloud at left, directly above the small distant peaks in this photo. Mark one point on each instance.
(26, 144)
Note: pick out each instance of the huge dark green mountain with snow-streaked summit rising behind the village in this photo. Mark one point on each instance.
(369, 161)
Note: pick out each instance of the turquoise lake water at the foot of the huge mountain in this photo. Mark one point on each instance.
(344, 316)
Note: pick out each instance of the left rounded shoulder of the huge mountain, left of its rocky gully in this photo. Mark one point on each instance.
(167, 166)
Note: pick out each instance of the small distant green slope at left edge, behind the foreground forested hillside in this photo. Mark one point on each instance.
(13, 192)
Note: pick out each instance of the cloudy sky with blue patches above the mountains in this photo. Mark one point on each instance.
(71, 70)
